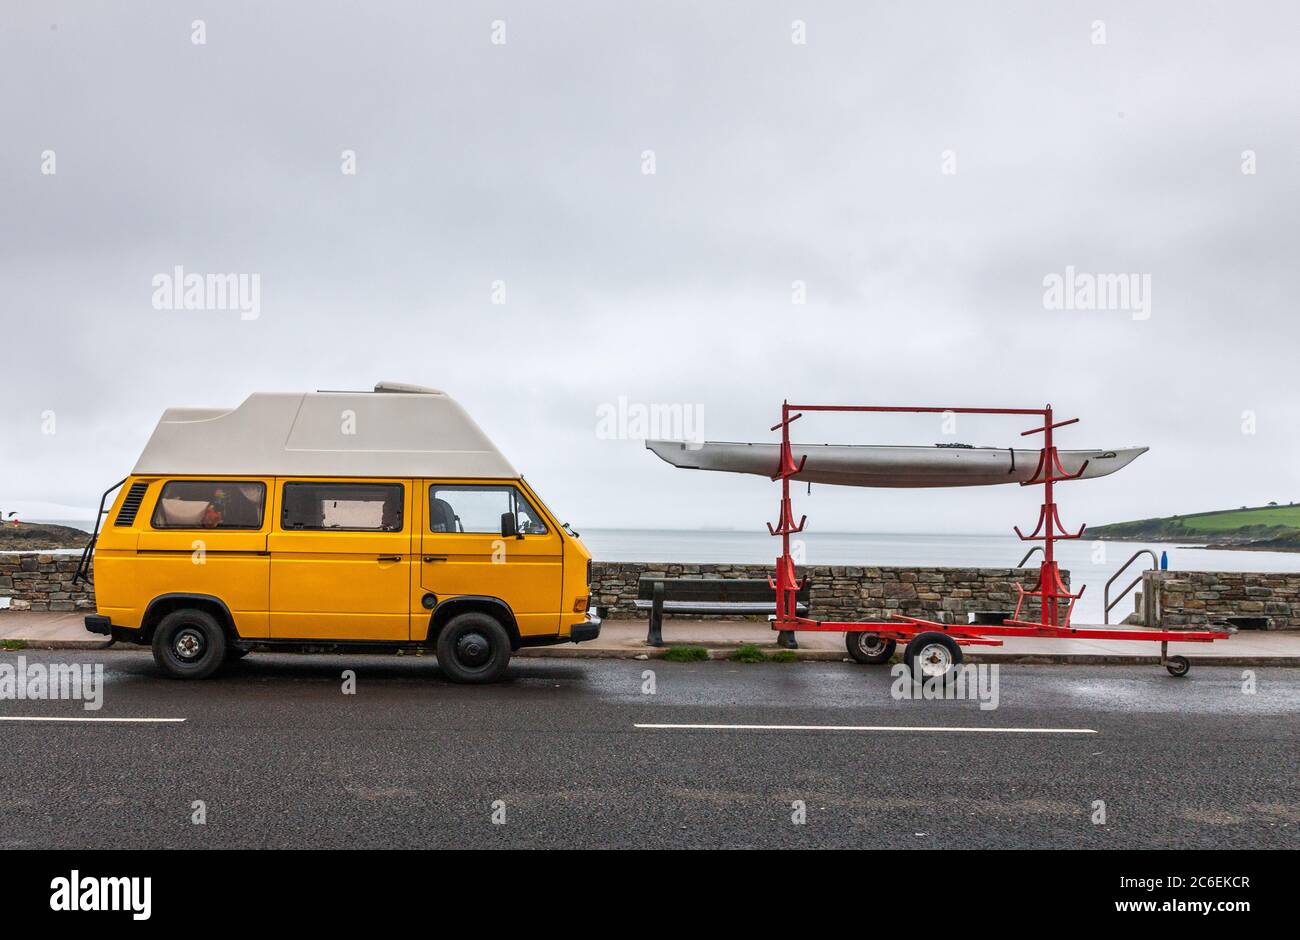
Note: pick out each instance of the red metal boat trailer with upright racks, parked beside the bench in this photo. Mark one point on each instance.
(1056, 603)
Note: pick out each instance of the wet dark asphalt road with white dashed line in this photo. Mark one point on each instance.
(281, 757)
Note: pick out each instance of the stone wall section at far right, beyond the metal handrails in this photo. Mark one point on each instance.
(1197, 599)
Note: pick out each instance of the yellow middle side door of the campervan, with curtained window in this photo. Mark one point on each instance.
(341, 560)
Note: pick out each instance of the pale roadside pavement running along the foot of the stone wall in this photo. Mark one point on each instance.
(626, 640)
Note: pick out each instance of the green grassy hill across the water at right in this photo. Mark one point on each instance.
(1259, 527)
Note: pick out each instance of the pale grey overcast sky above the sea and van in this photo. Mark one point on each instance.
(920, 168)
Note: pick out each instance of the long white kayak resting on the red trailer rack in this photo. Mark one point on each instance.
(891, 466)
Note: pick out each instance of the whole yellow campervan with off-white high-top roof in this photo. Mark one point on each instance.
(356, 521)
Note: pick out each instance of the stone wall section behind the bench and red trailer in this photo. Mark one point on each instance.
(844, 592)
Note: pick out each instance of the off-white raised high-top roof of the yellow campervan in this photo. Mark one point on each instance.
(395, 431)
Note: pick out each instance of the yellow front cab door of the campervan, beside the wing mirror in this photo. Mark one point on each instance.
(462, 552)
